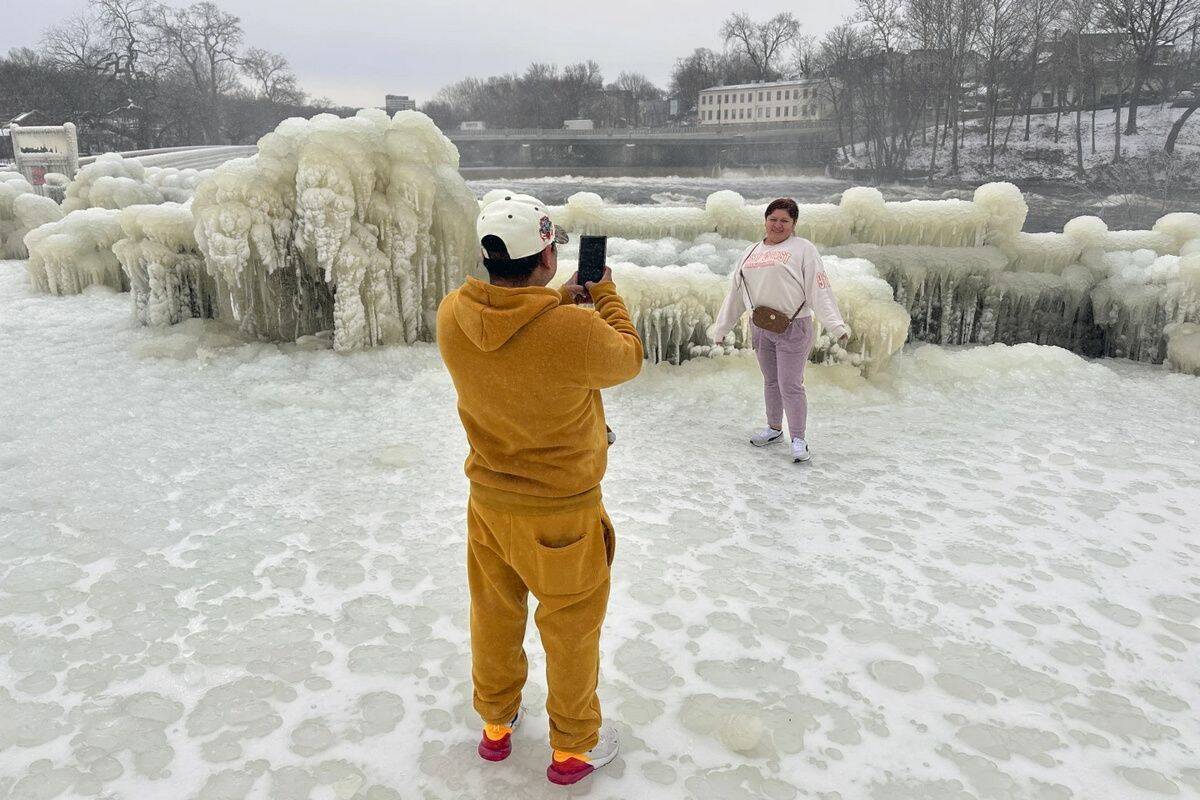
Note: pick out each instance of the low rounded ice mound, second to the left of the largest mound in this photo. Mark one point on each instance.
(76, 252)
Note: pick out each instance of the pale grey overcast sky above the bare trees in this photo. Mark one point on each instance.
(355, 52)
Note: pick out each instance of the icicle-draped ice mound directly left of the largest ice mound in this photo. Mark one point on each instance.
(165, 267)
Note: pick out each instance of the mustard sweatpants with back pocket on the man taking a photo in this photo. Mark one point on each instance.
(563, 557)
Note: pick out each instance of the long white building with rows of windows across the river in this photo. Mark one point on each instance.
(789, 101)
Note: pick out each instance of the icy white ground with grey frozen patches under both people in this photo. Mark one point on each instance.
(236, 570)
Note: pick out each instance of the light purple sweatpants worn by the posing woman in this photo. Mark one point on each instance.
(783, 358)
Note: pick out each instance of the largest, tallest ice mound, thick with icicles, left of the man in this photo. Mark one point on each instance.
(359, 226)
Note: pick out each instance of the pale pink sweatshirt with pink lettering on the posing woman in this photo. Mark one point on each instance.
(785, 278)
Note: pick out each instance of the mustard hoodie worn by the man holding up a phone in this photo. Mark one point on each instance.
(529, 368)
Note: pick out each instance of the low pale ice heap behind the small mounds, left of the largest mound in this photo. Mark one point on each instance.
(113, 182)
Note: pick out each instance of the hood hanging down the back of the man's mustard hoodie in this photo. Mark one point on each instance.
(490, 316)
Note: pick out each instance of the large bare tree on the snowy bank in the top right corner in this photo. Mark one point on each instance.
(1150, 26)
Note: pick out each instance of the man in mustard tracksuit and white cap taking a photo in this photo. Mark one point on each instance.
(529, 366)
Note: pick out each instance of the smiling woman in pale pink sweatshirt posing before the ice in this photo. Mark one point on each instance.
(784, 273)
